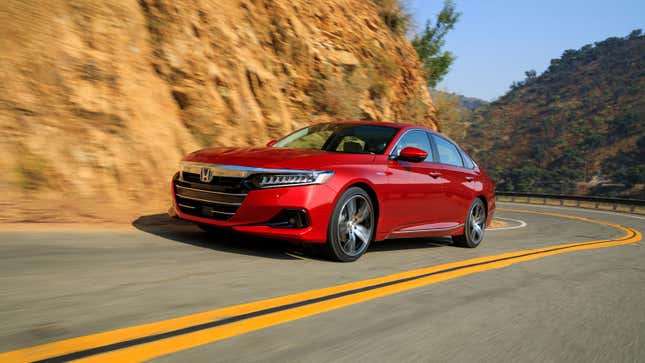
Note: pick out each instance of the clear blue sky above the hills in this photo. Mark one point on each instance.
(495, 41)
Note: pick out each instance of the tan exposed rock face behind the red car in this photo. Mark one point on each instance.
(99, 100)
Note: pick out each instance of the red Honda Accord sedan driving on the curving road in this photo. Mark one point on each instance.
(339, 184)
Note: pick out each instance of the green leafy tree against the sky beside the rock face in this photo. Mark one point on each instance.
(429, 44)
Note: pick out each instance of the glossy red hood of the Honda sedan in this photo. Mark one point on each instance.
(272, 157)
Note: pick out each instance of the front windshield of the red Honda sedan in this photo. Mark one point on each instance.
(345, 138)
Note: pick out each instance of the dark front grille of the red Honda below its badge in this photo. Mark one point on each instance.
(219, 199)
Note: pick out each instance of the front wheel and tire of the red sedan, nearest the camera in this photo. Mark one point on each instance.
(351, 226)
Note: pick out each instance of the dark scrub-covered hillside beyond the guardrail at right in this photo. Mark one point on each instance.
(574, 128)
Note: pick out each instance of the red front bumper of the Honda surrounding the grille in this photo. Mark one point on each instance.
(262, 205)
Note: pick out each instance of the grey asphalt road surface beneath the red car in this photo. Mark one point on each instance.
(577, 306)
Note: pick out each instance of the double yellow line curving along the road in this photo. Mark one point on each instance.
(144, 342)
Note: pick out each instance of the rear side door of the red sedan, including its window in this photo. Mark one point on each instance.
(460, 183)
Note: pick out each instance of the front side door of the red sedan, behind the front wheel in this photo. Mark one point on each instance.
(414, 195)
